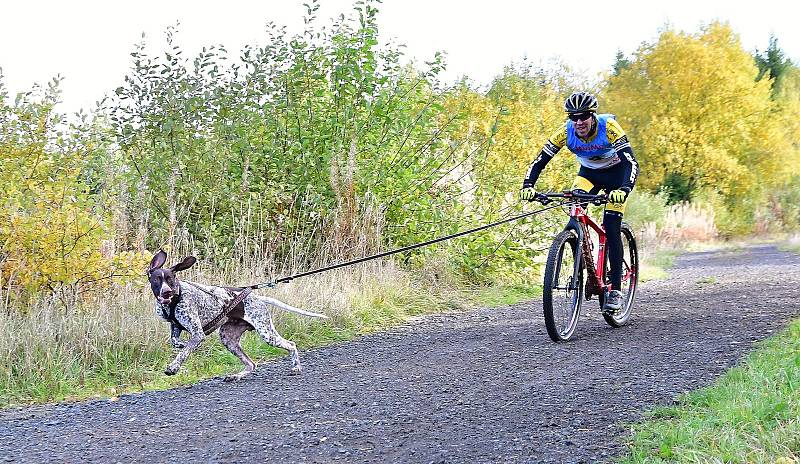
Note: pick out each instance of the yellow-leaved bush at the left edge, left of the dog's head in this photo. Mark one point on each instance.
(51, 227)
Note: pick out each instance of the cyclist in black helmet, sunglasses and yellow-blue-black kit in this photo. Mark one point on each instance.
(607, 163)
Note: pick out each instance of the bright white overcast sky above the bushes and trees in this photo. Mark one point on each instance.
(88, 42)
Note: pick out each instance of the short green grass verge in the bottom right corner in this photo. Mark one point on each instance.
(751, 415)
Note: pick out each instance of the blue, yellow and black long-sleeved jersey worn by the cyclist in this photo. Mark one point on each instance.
(605, 147)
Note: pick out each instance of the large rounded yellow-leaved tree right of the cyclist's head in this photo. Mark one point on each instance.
(691, 106)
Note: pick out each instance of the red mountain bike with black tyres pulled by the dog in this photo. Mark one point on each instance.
(570, 255)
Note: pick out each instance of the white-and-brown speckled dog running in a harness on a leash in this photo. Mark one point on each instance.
(192, 307)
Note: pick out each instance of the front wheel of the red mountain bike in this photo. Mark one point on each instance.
(563, 286)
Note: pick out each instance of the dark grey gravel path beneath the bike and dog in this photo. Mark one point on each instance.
(485, 386)
